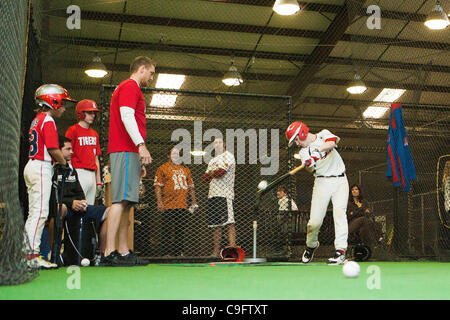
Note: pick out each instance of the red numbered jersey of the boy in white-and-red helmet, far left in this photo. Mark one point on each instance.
(43, 136)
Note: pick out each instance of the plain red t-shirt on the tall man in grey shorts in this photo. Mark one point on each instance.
(127, 94)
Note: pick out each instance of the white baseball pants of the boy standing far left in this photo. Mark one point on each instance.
(38, 179)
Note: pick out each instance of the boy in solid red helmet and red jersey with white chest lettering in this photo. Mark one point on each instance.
(86, 149)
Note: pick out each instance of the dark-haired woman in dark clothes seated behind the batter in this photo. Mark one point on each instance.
(360, 218)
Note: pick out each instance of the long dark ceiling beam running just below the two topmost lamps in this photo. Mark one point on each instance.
(233, 27)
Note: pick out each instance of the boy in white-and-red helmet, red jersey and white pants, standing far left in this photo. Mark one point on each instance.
(38, 172)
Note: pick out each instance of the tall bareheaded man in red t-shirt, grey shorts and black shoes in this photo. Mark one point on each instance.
(128, 157)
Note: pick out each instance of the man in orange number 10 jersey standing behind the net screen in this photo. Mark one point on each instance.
(173, 184)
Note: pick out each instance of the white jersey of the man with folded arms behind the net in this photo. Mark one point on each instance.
(223, 186)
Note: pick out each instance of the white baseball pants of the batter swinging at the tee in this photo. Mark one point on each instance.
(326, 189)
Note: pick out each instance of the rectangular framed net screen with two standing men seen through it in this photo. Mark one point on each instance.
(164, 227)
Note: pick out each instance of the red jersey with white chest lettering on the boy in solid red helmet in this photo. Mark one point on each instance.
(85, 146)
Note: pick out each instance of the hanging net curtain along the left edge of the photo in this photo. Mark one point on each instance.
(13, 35)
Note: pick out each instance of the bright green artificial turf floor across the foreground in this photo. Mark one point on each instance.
(377, 280)
